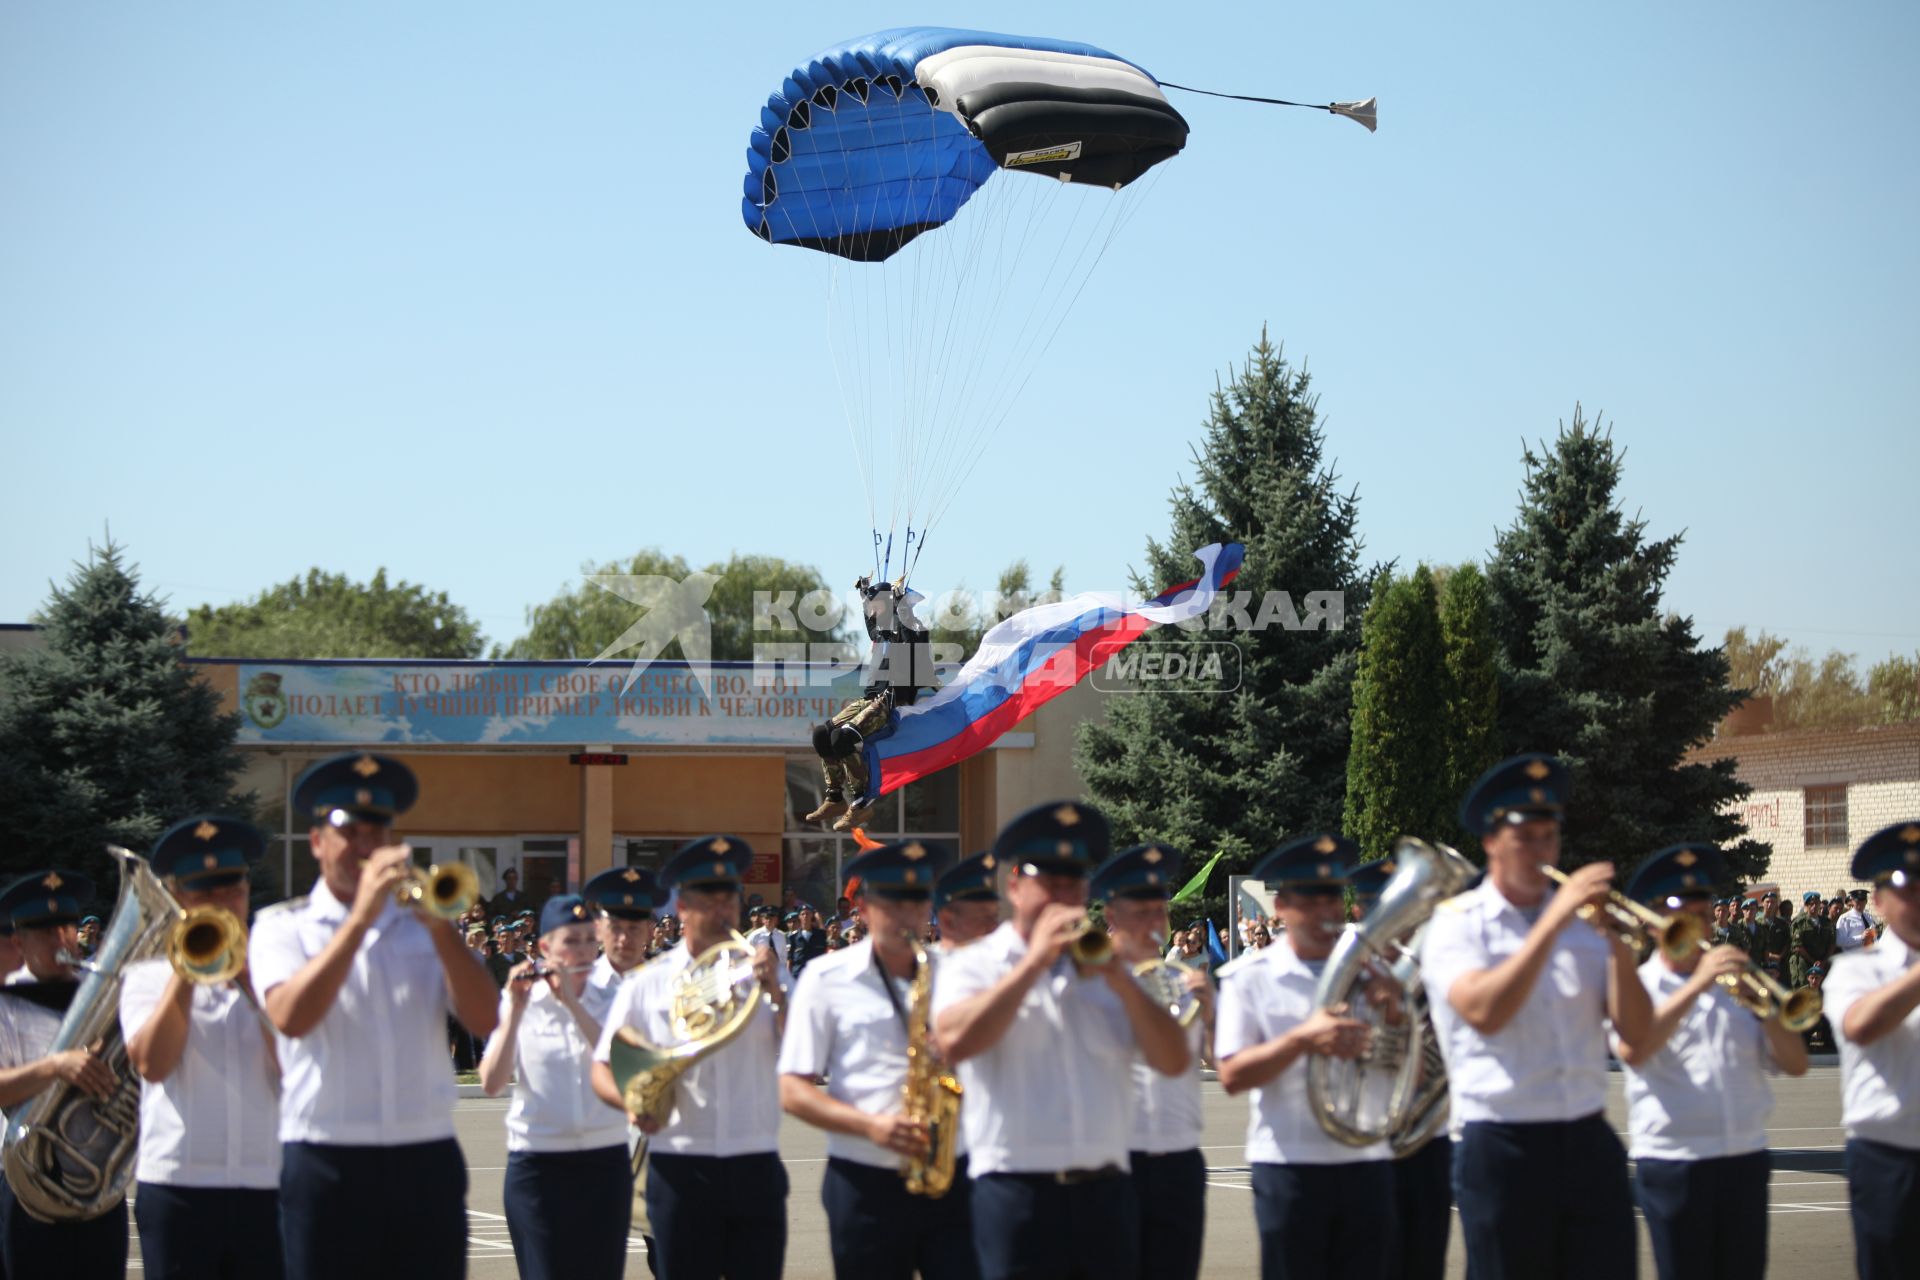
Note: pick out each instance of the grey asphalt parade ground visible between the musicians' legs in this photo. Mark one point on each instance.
(1812, 1233)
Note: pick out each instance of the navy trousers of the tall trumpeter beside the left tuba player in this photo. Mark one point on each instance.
(373, 1214)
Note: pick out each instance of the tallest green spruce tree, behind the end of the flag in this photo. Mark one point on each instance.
(1241, 770)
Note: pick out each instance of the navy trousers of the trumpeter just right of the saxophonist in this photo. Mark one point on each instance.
(1030, 1227)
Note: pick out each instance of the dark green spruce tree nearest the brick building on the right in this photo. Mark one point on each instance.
(1593, 671)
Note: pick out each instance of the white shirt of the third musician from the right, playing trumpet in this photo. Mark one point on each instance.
(1550, 1062)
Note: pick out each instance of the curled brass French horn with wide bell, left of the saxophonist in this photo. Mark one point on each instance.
(713, 1003)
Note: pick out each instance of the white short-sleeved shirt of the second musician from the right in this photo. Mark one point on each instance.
(1706, 1093)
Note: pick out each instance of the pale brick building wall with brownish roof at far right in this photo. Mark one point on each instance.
(1881, 770)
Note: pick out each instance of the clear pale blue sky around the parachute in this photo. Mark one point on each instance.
(464, 291)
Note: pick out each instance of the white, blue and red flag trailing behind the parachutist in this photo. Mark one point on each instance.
(1028, 661)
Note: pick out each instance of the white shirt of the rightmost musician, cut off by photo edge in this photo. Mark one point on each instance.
(1881, 1081)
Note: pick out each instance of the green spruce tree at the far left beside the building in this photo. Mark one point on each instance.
(107, 734)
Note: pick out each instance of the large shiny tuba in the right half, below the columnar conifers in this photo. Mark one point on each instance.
(1397, 1089)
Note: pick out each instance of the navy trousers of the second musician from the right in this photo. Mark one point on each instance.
(1708, 1218)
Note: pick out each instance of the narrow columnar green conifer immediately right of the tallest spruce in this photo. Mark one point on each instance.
(1397, 774)
